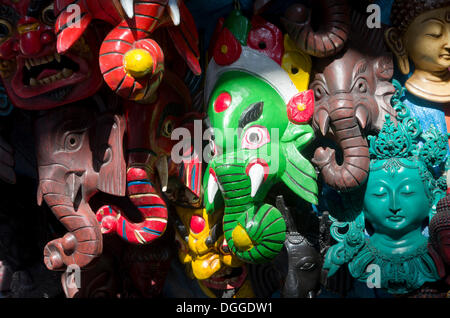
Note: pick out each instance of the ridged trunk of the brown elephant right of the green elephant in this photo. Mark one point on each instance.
(344, 123)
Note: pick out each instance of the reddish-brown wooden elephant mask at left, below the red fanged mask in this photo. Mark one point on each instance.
(79, 153)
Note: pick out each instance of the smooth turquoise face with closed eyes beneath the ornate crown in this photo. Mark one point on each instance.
(396, 203)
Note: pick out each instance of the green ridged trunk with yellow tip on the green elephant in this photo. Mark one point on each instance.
(254, 232)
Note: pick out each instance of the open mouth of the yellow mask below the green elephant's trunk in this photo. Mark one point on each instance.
(226, 279)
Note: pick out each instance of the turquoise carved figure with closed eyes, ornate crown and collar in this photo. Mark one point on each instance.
(382, 242)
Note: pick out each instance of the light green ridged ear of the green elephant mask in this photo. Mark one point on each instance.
(299, 175)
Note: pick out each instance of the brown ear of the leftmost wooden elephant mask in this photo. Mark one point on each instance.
(109, 158)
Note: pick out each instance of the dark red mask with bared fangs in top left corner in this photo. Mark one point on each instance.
(34, 74)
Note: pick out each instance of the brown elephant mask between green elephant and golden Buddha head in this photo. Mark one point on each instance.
(352, 93)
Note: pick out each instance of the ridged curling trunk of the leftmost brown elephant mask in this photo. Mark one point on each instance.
(83, 243)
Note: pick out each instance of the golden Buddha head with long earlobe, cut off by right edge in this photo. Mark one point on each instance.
(426, 43)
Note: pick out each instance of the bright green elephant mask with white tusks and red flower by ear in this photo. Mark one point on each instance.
(256, 145)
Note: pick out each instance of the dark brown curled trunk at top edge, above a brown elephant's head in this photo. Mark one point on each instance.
(330, 38)
